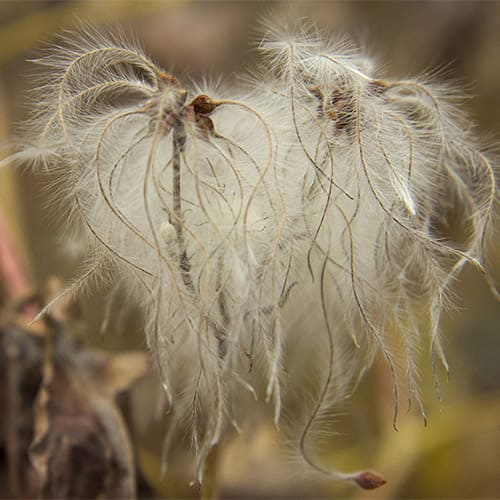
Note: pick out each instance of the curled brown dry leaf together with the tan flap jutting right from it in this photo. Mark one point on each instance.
(81, 446)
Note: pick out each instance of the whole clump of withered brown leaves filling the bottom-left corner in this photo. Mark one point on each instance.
(61, 398)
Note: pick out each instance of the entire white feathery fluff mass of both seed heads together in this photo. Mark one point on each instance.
(306, 217)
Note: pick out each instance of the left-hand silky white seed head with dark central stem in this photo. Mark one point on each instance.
(177, 194)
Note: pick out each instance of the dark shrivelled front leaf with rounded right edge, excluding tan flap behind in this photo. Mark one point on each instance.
(81, 447)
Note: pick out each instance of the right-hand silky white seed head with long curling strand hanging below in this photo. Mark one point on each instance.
(383, 160)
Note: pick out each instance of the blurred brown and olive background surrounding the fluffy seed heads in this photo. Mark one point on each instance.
(458, 454)
